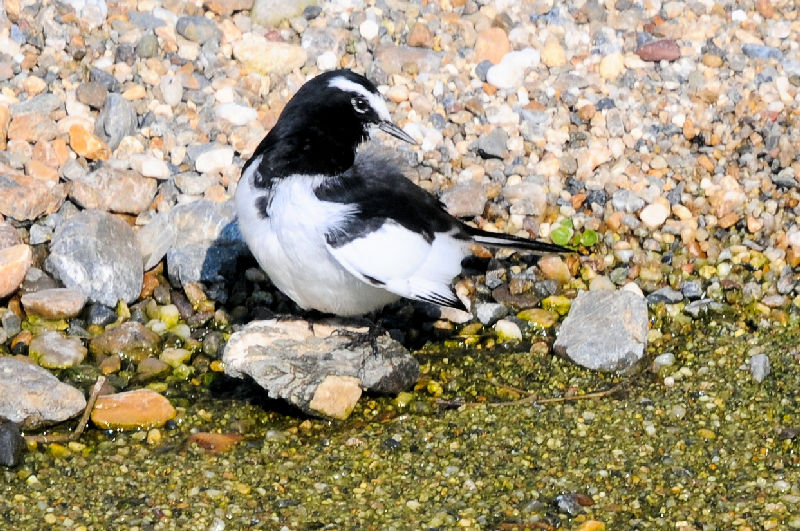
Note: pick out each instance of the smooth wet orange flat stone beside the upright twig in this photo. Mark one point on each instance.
(131, 410)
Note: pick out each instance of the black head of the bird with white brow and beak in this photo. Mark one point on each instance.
(322, 125)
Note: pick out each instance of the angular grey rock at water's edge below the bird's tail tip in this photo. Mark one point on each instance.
(604, 330)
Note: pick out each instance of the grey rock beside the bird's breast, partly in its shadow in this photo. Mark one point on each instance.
(200, 239)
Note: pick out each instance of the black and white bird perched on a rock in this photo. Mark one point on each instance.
(344, 232)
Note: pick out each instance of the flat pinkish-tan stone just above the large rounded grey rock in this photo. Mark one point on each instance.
(114, 190)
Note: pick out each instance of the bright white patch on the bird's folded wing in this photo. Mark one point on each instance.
(402, 262)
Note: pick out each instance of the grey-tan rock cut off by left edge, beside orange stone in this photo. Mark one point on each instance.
(32, 397)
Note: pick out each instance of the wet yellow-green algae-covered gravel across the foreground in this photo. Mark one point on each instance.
(699, 444)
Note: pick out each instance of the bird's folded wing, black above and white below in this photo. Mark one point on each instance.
(398, 237)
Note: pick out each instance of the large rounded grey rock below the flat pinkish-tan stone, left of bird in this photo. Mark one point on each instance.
(96, 254)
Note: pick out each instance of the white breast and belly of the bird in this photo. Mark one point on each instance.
(290, 246)
